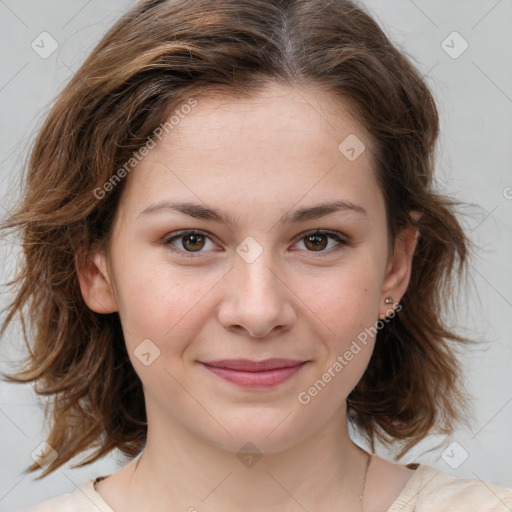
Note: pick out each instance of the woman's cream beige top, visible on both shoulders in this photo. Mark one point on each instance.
(428, 490)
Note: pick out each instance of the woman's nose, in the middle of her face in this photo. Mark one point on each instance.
(256, 298)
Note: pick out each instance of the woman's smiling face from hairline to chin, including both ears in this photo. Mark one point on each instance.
(263, 273)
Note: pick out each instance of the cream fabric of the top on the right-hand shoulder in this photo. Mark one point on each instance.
(434, 489)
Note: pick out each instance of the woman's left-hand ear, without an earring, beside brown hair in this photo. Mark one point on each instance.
(96, 285)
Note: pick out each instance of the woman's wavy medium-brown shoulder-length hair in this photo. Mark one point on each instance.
(158, 55)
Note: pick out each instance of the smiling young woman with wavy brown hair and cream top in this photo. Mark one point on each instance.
(233, 248)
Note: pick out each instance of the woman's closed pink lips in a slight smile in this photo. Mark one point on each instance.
(252, 374)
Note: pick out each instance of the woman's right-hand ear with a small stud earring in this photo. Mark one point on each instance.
(398, 271)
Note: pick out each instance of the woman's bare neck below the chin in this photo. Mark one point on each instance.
(322, 472)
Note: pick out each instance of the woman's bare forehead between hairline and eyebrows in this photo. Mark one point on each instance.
(281, 144)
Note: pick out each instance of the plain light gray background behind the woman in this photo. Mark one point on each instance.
(474, 94)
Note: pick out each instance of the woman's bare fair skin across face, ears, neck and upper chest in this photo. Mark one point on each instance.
(256, 159)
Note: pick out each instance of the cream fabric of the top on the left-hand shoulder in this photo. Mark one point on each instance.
(82, 499)
